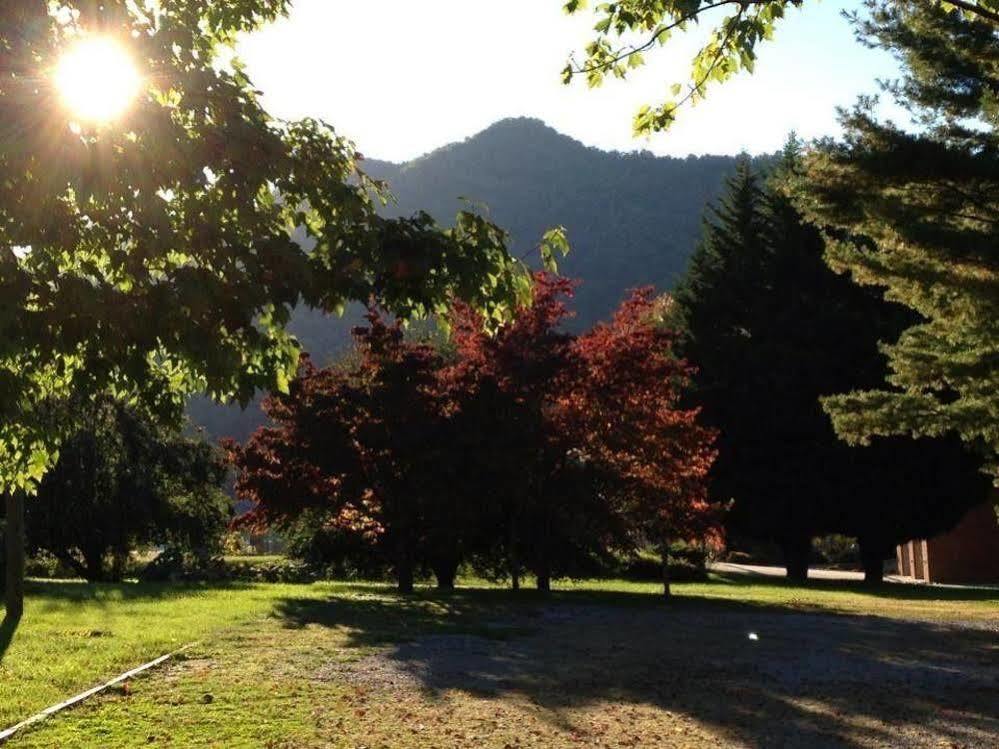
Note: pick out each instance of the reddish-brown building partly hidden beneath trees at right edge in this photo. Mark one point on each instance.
(967, 554)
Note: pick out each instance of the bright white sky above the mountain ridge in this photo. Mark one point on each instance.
(402, 77)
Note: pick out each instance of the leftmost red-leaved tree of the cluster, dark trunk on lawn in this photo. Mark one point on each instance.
(360, 443)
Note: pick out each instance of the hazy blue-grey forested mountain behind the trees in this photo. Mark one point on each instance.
(632, 219)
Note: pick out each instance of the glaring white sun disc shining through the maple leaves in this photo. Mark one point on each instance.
(97, 79)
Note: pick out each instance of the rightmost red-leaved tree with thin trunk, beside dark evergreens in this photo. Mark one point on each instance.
(622, 403)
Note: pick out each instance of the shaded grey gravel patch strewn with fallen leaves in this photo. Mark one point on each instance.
(739, 679)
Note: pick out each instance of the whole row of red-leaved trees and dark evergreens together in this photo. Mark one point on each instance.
(535, 449)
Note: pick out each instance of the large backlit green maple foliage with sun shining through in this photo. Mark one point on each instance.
(161, 253)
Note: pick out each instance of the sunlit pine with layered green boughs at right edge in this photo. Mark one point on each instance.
(928, 202)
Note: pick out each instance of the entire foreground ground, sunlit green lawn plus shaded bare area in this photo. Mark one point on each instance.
(599, 663)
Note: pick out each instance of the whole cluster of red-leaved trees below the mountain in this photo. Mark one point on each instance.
(528, 450)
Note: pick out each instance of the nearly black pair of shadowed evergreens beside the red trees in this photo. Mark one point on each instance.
(772, 329)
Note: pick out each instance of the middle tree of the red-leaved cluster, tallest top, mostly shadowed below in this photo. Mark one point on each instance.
(543, 513)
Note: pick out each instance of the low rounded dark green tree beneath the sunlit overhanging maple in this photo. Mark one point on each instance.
(123, 482)
